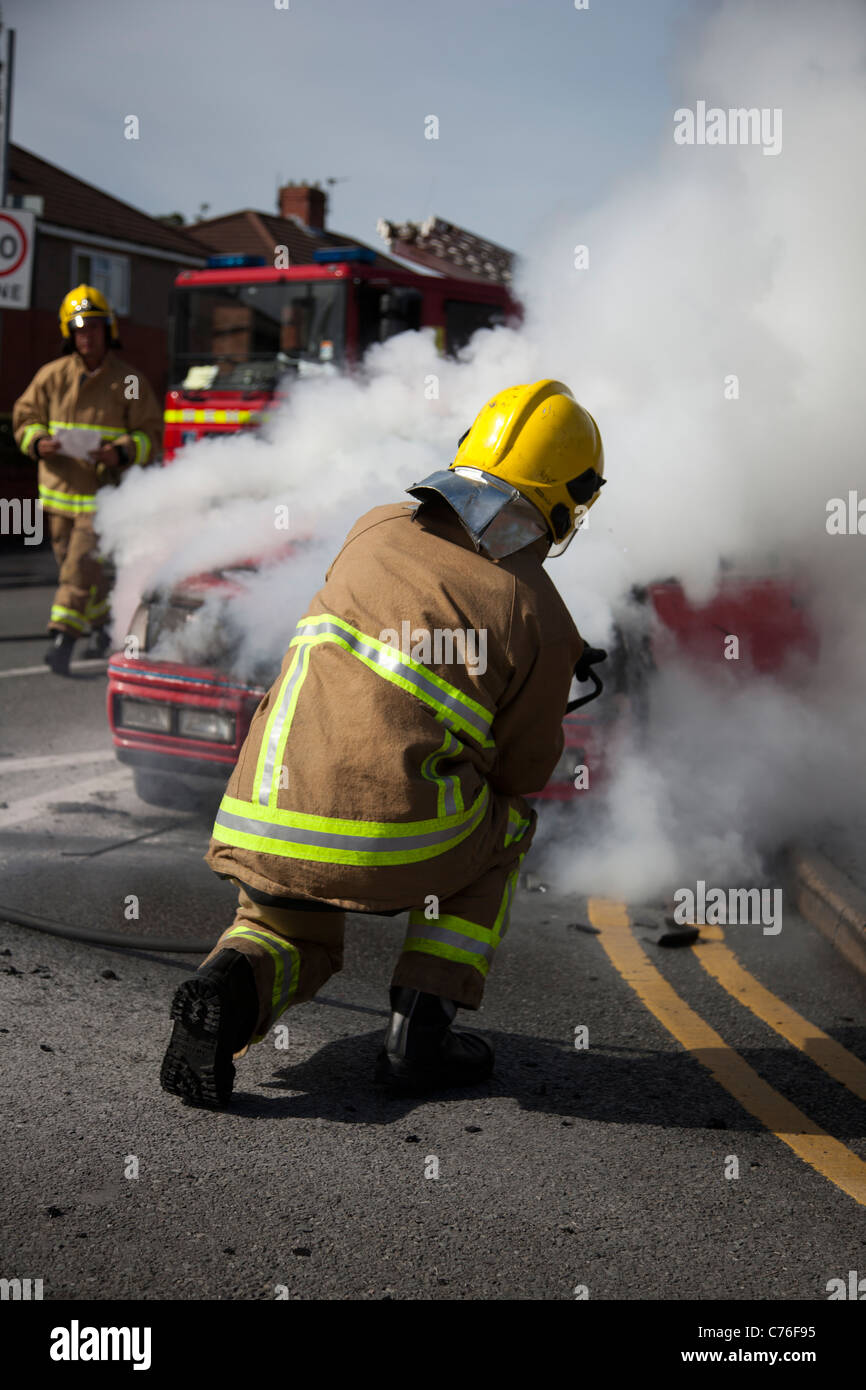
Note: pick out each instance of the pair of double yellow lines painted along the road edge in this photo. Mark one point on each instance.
(769, 1107)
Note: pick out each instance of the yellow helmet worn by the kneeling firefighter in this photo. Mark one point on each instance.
(540, 441)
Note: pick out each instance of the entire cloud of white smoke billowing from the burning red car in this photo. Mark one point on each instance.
(718, 262)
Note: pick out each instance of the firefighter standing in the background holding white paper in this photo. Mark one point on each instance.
(117, 422)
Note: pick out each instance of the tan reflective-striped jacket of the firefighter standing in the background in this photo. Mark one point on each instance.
(63, 397)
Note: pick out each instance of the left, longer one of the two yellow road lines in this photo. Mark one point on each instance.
(808, 1140)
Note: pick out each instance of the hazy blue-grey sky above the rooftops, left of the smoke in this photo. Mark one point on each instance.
(539, 104)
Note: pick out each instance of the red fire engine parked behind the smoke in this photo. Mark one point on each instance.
(243, 332)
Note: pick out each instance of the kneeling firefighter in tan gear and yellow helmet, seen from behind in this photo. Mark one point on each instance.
(384, 772)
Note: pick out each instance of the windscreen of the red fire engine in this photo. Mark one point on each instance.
(245, 337)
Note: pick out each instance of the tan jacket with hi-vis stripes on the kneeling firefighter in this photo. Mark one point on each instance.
(420, 698)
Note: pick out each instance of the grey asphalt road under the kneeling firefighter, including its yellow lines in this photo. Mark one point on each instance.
(597, 1170)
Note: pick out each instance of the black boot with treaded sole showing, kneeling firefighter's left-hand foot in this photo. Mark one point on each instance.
(215, 1017)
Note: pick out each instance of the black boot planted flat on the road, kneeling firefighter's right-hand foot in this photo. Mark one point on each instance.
(422, 1053)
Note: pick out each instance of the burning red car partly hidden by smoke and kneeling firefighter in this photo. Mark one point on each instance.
(179, 725)
